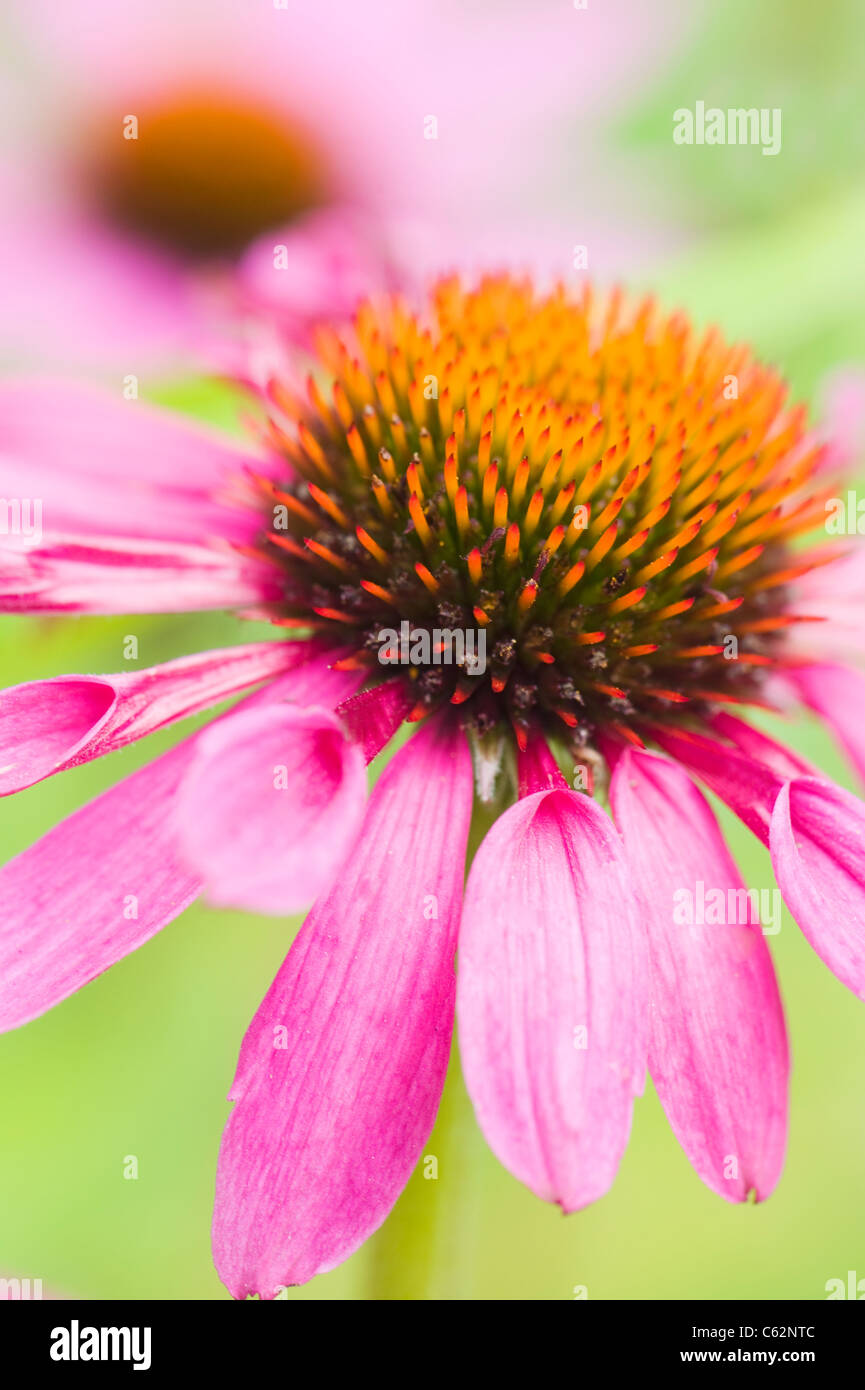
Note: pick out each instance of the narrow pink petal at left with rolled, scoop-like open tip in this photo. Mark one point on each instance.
(49, 726)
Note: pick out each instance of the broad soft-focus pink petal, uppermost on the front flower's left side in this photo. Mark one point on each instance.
(104, 466)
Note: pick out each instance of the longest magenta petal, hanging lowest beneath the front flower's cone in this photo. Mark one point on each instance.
(343, 1067)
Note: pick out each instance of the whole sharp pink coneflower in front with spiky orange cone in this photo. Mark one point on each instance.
(613, 502)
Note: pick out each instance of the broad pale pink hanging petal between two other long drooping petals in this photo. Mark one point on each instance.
(553, 996)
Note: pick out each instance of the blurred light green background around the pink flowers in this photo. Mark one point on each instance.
(140, 1063)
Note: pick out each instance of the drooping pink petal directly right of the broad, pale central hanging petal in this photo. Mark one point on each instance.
(718, 1045)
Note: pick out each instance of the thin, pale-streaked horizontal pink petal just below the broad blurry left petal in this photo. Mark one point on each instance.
(105, 576)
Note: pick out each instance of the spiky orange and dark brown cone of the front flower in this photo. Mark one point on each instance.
(571, 476)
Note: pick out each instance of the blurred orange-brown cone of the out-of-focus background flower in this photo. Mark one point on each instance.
(205, 176)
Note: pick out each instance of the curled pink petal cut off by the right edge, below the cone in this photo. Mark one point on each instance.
(818, 851)
